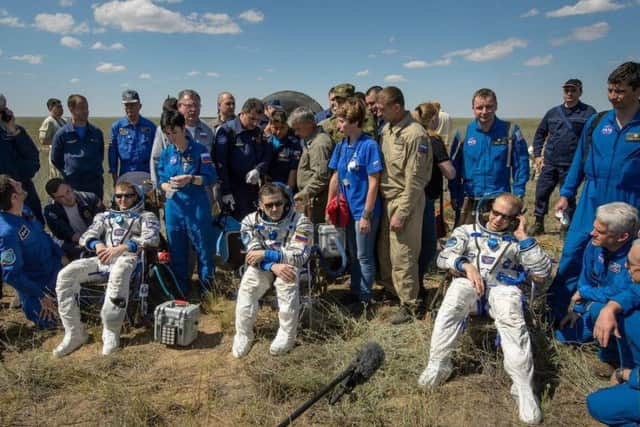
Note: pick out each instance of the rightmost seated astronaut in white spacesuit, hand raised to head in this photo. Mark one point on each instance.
(492, 261)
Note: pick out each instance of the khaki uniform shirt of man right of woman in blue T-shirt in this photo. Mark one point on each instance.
(408, 159)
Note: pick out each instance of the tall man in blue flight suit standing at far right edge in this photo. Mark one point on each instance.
(608, 160)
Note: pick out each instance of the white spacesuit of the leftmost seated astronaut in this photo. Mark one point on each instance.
(136, 229)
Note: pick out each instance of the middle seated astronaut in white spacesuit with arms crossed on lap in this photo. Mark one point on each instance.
(278, 241)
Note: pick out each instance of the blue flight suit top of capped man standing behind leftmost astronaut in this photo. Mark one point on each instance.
(130, 148)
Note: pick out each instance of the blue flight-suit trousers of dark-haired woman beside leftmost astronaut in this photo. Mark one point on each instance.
(189, 221)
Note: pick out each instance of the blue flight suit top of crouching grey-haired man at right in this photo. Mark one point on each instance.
(603, 273)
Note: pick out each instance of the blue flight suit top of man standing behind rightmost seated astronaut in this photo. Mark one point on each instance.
(482, 160)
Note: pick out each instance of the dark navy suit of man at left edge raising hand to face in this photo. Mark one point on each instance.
(20, 159)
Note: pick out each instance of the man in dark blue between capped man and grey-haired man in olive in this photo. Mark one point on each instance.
(286, 151)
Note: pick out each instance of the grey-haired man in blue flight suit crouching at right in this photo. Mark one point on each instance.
(603, 274)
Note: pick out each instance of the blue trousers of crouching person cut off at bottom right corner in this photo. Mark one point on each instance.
(620, 405)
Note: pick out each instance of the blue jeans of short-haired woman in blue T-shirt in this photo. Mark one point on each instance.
(363, 258)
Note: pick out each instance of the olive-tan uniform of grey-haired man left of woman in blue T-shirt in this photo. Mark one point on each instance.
(313, 173)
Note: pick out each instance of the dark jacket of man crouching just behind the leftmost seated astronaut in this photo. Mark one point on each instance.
(88, 205)
